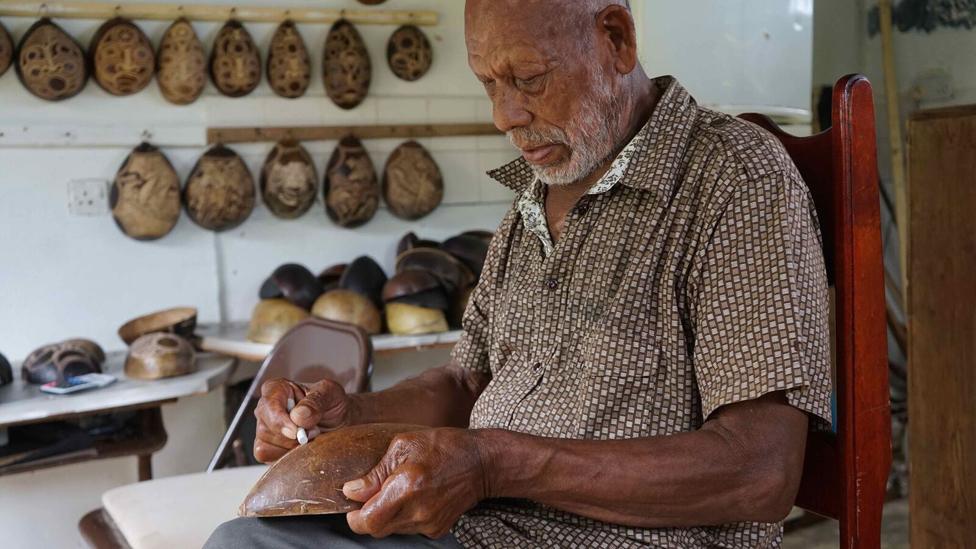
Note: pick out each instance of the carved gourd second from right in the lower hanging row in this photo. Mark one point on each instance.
(352, 191)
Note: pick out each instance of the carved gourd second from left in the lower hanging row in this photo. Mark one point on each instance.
(219, 194)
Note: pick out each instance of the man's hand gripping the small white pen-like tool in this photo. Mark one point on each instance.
(320, 407)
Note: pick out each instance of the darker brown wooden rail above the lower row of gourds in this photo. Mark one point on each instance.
(327, 133)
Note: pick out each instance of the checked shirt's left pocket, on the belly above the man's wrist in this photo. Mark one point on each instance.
(516, 378)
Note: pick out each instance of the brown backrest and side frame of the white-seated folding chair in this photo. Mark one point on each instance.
(313, 350)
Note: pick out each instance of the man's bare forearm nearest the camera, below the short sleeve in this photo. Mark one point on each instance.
(706, 477)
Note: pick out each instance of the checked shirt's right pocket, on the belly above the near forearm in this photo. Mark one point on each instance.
(620, 391)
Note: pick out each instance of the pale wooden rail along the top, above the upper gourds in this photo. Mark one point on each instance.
(204, 12)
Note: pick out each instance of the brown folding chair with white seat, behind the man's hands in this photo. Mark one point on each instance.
(182, 511)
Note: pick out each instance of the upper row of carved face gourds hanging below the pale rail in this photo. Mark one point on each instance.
(54, 66)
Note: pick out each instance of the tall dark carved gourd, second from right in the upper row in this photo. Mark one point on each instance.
(346, 66)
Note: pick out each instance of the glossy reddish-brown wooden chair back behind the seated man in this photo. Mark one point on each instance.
(845, 472)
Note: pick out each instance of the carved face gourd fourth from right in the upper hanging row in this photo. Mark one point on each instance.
(235, 62)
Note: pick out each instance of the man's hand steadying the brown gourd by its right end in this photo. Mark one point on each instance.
(423, 484)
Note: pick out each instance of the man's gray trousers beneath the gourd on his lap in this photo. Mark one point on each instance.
(318, 532)
